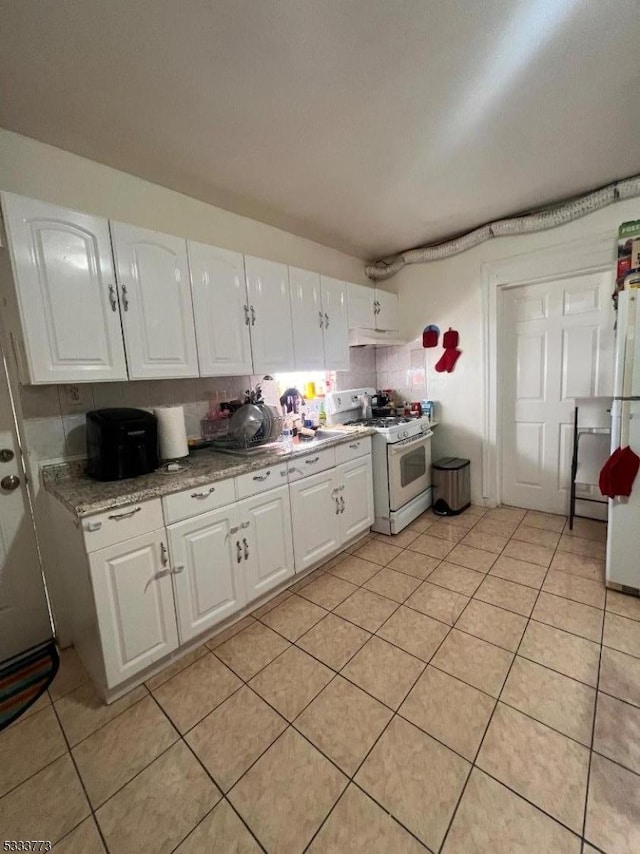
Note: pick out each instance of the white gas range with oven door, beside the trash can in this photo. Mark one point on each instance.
(401, 449)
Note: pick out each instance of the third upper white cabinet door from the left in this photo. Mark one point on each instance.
(221, 310)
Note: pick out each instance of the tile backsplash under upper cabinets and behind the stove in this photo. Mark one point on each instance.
(55, 415)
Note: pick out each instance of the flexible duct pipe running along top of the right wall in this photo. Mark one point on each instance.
(527, 224)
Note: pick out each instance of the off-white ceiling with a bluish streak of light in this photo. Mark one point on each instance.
(367, 125)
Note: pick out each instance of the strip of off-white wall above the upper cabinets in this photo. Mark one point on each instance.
(41, 171)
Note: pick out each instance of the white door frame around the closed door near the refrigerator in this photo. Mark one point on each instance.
(595, 254)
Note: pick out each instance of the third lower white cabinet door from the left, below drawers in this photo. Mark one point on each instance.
(269, 543)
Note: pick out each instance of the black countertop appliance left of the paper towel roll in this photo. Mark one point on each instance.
(121, 443)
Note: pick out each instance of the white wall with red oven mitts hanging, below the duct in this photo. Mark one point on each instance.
(450, 293)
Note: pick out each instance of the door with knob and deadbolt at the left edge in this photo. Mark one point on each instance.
(24, 618)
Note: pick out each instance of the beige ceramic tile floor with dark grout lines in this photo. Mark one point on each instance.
(466, 686)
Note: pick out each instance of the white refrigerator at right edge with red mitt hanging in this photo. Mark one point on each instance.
(623, 535)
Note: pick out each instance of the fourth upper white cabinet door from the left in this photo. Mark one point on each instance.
(271, 331)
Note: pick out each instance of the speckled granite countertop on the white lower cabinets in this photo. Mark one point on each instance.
(84, 496)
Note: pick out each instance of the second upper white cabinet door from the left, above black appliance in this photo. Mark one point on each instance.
(155, 300)
